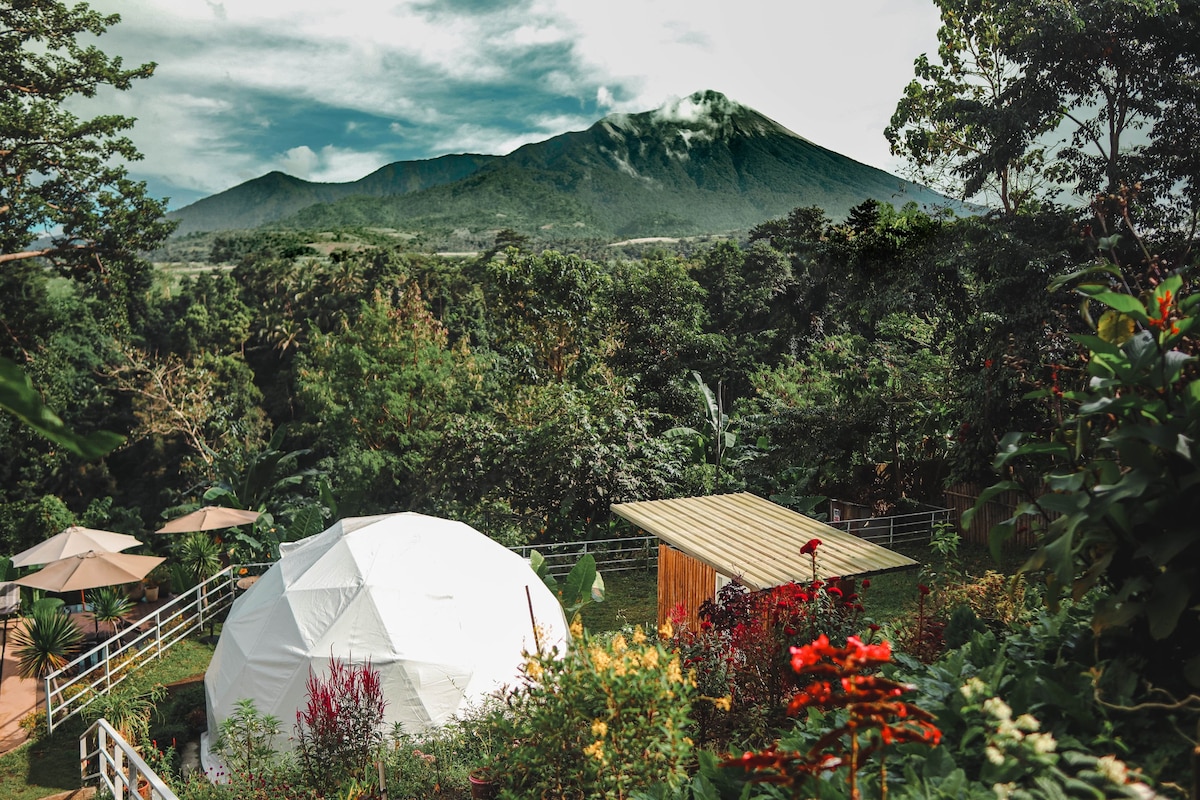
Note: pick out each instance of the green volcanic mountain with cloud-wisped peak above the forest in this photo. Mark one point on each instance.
(701, 165)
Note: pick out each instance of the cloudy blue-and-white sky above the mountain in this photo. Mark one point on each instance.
(331, 91)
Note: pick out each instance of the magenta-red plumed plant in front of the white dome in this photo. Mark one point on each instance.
(341, 724)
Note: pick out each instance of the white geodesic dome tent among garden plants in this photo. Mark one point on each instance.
(439, 609)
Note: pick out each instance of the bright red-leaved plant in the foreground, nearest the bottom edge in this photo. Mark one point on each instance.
(844, 678)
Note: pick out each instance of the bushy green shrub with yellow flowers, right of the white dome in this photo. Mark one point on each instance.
(607, 718)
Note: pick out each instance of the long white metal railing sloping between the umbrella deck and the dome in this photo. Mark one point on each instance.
(79, 684)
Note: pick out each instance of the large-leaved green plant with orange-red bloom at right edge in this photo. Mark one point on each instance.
(1112, 492)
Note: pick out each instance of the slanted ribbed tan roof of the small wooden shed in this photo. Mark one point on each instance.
(757, 542)
